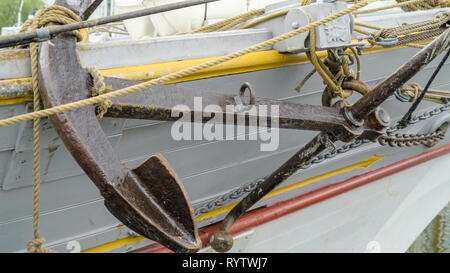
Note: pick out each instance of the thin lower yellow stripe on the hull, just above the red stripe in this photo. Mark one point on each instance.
(130, 240)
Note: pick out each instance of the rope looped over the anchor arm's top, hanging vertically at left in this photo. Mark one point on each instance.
(58, 15)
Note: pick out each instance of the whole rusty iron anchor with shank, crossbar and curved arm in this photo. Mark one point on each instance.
(151, 199)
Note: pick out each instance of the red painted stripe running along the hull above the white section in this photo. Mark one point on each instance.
(263, 215)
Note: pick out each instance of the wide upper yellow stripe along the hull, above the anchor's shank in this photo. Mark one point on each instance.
(256, 61)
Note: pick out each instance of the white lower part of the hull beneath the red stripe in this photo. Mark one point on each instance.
(384, 216)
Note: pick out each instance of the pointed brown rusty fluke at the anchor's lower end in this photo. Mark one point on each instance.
(152, 201)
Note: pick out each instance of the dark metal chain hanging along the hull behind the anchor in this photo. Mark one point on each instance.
(401, 140)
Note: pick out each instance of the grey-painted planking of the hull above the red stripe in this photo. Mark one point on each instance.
(71, 207)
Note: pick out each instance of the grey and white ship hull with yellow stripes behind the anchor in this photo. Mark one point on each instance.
(73, 215)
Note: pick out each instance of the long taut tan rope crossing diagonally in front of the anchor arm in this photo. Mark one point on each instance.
(180, 74)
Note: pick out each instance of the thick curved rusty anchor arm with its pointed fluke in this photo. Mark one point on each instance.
(150, 199)
